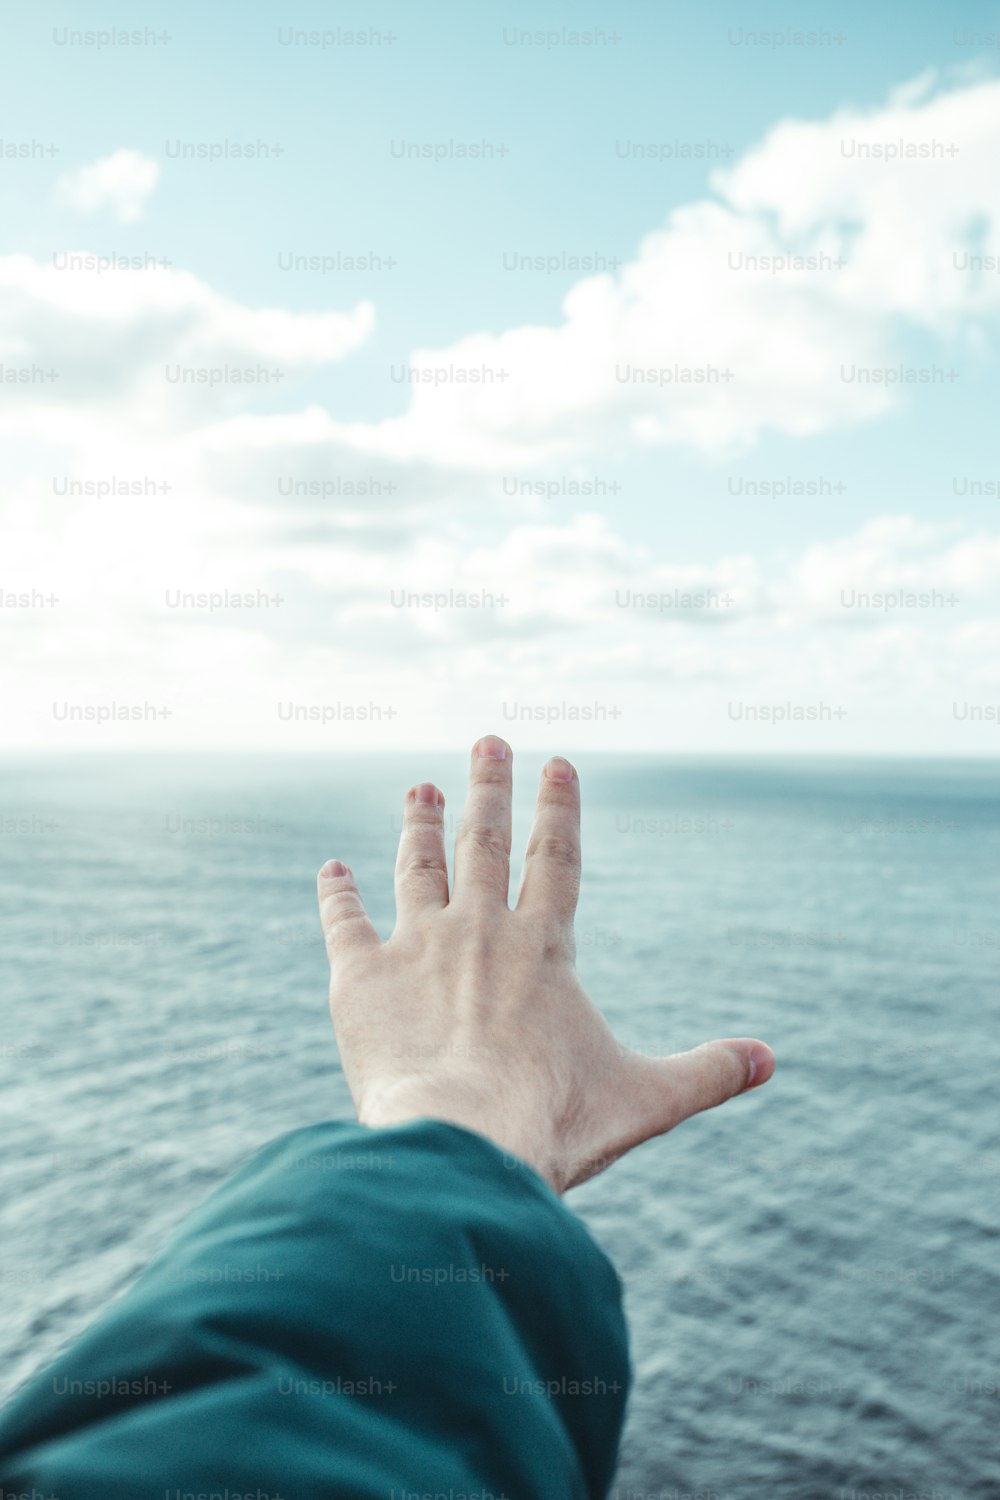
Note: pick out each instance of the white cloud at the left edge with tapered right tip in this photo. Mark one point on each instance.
(152, 347)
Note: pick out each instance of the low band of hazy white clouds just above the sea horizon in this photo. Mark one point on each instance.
(569, 632)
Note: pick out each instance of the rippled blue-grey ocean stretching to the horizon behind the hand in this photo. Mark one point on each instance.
(812, 1274)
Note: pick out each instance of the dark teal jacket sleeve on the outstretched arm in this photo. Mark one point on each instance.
(365, 1315)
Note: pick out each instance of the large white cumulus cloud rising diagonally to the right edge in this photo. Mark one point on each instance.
(752, 311)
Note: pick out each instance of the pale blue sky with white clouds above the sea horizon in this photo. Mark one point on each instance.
(611, 380)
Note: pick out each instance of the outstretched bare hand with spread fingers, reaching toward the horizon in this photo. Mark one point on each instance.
(473, 1013)
